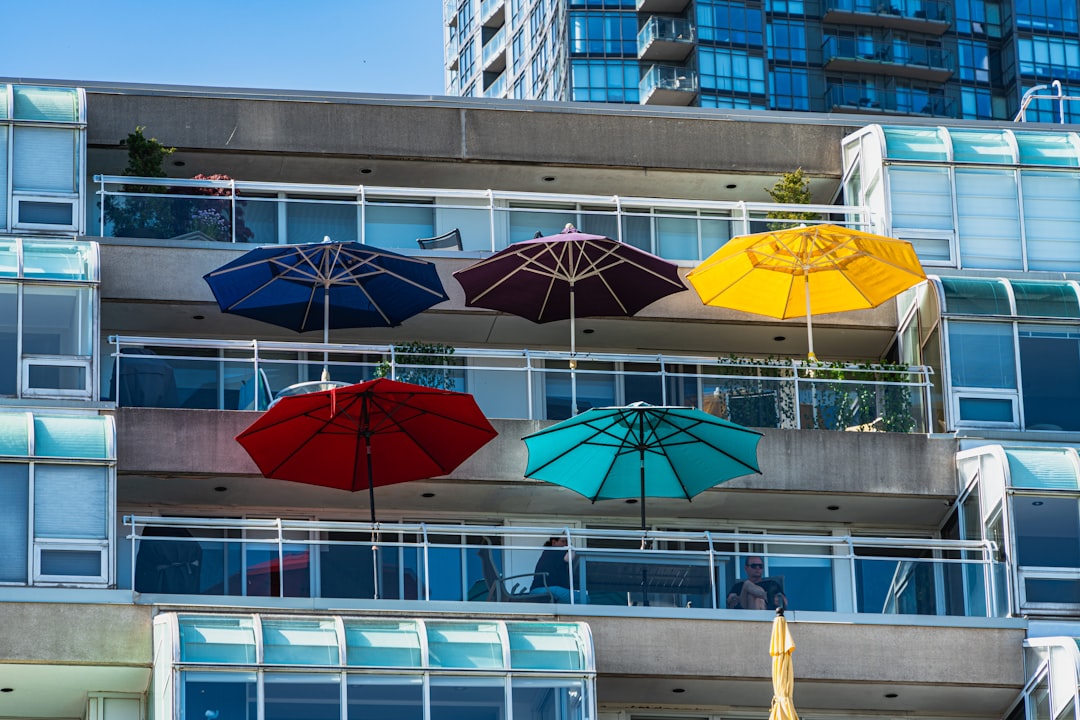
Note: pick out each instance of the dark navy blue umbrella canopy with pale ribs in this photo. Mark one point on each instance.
(327, 286)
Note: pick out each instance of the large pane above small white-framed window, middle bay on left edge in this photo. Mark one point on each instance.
(57, 321)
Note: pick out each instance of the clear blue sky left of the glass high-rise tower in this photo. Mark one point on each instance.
(347, 46)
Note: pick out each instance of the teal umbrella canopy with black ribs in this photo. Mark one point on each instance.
(642, 451)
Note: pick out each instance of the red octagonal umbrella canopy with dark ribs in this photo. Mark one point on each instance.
(374, 433)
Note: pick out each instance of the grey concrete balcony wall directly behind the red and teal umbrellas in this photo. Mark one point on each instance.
(881, 479)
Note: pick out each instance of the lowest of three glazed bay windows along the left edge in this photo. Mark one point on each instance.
(66, 537)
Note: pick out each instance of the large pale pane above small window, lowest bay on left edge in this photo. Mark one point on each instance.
(71, 501)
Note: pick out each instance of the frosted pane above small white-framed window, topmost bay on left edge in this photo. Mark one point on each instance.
(44, 160)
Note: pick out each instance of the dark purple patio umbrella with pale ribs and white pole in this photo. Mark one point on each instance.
(570, 276)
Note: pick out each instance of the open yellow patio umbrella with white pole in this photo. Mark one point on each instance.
(806, 270)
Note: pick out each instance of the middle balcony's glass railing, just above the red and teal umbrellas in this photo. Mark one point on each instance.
(525, 384)
